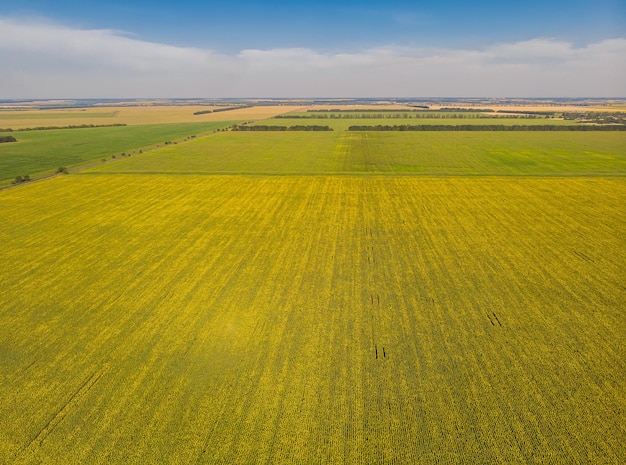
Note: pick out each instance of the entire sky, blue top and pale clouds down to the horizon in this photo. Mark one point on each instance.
(291, 49)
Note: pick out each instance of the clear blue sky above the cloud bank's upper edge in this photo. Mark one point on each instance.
(336, 25)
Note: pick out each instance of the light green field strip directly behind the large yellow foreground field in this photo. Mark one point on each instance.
(425, 153)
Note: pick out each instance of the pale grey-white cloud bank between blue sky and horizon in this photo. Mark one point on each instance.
(42, 60)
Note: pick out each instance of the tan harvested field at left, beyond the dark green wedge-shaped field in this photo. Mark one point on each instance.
(137, 115)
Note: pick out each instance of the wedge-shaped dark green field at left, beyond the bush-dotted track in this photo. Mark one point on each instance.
(42, 152)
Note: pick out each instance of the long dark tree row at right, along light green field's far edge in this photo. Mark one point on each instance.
(489, 127)
